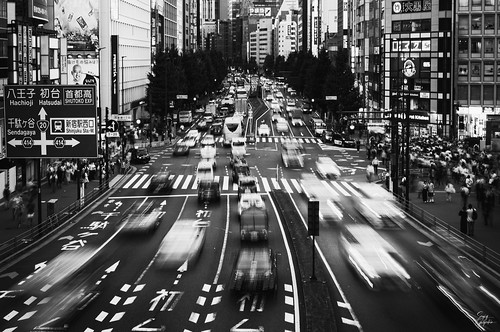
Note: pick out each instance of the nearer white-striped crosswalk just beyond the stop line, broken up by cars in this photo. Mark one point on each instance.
(181, 183)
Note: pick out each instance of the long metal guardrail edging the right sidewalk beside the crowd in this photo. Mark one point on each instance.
(468, 245)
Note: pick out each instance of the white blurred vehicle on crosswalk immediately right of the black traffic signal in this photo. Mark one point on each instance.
(315, 189)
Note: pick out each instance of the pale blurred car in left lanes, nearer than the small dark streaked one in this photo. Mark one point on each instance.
(182, 245)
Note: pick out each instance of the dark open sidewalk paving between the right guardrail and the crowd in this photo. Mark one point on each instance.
(487, 235)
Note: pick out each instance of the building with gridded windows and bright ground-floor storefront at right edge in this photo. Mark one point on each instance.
(477, 92)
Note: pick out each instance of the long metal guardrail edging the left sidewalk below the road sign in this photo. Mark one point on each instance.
(21, 243)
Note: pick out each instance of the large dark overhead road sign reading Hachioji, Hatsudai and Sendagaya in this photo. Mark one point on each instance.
(50, 121)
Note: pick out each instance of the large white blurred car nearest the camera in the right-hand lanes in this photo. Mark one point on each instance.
(376, 262)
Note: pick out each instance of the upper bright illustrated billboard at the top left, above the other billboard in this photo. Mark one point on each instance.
(78, 21)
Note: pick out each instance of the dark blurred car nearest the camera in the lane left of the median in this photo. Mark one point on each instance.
(255, 269)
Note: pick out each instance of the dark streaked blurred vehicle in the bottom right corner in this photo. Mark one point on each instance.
(467, 286)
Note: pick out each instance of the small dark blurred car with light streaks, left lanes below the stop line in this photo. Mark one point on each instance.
(142, 220)
